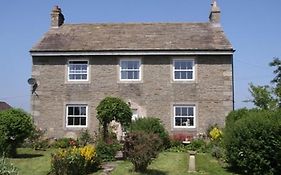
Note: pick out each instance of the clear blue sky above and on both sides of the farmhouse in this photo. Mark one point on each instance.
(252, 26)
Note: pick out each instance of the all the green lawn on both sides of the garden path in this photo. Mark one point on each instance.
(32, 162)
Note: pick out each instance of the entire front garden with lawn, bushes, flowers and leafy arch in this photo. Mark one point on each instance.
(250, 143)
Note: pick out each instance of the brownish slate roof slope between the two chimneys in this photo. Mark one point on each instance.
(134, 36)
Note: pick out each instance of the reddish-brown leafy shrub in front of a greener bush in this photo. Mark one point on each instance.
(141, 148)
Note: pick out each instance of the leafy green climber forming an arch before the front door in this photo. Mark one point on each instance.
(113, 108)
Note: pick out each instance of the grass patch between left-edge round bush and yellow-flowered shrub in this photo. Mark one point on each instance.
(31, 162)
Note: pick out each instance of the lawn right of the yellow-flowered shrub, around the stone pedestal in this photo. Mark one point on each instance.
(170, 163)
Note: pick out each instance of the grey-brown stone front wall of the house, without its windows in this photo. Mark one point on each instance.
(154, 95)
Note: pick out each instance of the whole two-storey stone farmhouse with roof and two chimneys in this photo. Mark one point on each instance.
(181, 73)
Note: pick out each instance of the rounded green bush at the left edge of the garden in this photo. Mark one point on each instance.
(15, 126)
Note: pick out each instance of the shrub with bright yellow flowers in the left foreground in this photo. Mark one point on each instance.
(74, 161)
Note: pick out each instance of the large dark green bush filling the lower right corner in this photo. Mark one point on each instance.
(253, 142)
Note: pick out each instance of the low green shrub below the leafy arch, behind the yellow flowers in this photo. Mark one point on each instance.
(107, 151)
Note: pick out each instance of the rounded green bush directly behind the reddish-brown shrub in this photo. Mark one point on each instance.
(154, 126)
